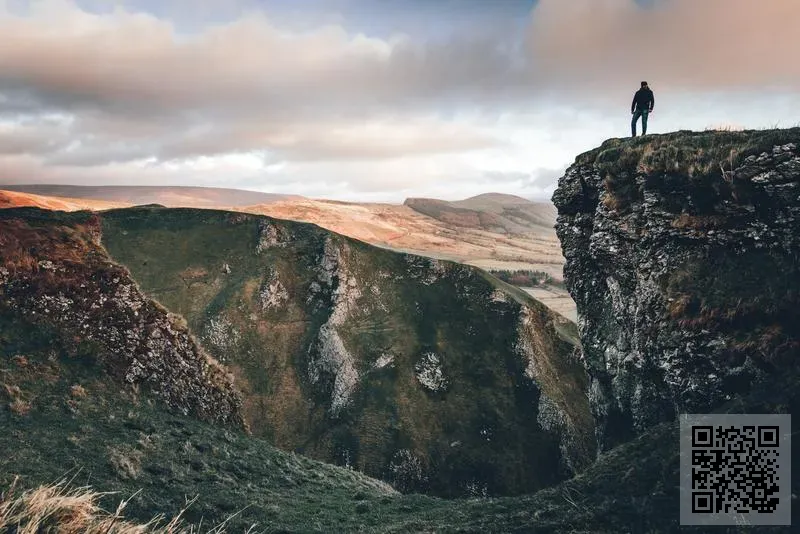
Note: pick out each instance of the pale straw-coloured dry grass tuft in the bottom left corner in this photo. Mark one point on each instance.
(57, 508)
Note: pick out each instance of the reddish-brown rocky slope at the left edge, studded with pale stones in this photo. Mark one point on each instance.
(57, 276)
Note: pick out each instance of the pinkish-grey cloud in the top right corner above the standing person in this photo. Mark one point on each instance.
(605, 45)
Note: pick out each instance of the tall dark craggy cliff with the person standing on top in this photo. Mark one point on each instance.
(682, 256)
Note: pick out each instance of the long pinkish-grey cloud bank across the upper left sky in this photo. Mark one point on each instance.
(132, 61)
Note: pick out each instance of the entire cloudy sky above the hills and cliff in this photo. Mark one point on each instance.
(372, 99)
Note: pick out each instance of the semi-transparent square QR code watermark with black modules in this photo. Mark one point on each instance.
(735, 469)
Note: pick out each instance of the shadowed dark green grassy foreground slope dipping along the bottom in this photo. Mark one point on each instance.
(79, 424)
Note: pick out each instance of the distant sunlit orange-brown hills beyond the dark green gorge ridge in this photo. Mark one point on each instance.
(386, 225)
